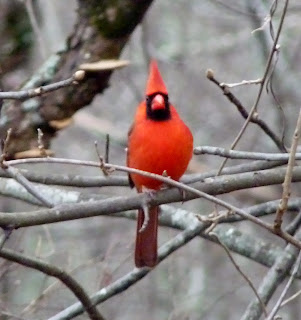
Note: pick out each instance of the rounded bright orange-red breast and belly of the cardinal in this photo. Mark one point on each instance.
(156, 147)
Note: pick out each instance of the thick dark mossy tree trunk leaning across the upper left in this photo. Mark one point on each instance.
(101, 31)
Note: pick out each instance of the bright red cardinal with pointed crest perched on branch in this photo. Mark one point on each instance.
(158, 141)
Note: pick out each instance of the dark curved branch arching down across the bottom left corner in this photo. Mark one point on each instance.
(58, 273)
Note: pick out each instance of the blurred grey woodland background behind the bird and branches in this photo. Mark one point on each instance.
(186, 37)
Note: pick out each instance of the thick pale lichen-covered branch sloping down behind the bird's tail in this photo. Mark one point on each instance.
(235, 240)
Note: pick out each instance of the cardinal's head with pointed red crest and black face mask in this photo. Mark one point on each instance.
(157, 105)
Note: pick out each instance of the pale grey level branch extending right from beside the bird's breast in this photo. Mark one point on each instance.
(234, 154)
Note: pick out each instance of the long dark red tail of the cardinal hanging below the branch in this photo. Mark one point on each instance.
(146, 241)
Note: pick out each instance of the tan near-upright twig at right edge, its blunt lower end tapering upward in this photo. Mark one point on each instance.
(288, 177)
